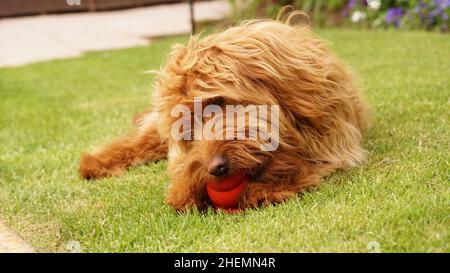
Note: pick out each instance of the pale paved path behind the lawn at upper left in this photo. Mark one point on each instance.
(39, 38)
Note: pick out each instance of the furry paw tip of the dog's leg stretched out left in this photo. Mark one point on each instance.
(92, 168)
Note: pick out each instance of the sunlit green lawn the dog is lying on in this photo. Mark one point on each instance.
(51, 112)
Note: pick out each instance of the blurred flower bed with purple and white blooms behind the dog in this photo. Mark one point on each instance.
(398, 14)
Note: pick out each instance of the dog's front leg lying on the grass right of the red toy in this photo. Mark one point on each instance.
(259, 193)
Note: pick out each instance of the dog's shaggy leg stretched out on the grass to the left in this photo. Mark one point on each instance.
(143, 145)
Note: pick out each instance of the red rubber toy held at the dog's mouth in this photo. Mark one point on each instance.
(225, 194)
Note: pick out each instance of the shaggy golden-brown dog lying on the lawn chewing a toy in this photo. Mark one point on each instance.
(260, 62)
